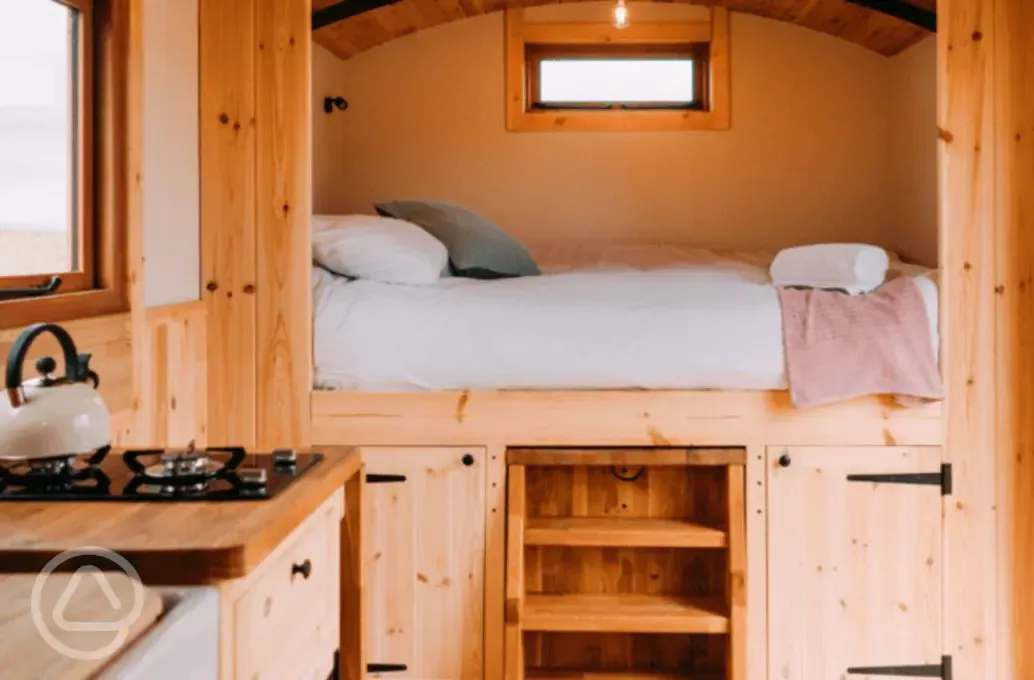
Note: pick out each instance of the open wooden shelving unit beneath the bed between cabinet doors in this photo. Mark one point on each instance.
(626, 565)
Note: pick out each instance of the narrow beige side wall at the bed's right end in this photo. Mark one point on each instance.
(914, 152)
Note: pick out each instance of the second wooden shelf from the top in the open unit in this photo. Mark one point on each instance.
(577, 613)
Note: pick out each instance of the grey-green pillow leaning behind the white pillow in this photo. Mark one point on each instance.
(477, 249)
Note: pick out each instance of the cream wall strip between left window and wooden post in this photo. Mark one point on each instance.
(172, 201)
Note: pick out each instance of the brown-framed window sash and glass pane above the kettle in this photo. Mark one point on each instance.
(46, 144)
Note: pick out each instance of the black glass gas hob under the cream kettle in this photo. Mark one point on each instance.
(212, 475)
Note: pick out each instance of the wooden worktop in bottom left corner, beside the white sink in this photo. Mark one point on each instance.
(81, 599)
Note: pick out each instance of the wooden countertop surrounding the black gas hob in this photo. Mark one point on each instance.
(171, 544)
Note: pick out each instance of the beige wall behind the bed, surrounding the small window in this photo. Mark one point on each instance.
(806, 160)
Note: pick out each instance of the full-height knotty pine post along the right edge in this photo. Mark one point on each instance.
(986, 123)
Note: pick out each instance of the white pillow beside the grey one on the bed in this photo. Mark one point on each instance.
(378, 250)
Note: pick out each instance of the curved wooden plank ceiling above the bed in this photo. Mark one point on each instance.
(850, 22)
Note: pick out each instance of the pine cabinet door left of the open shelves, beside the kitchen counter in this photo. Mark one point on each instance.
(424, 554)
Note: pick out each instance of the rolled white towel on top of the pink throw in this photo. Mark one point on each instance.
(855, 268)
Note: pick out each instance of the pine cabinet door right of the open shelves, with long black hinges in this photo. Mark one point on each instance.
(855, 567)
